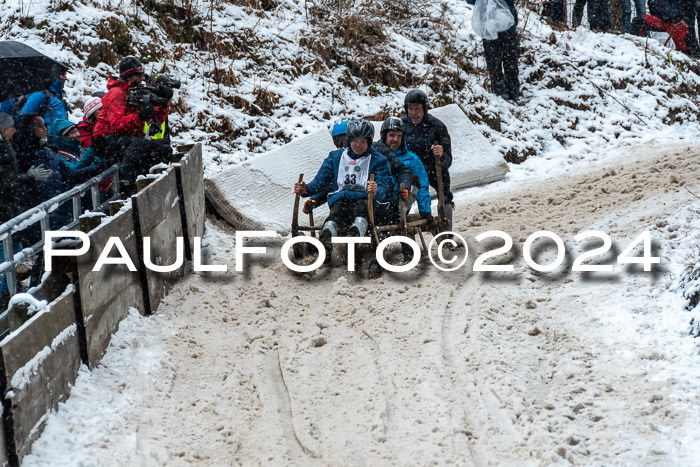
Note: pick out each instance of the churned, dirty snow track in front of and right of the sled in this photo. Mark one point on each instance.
(462, 368)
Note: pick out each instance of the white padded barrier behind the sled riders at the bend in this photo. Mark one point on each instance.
(257, 194)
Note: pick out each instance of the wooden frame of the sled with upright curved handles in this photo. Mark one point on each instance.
(410, 225)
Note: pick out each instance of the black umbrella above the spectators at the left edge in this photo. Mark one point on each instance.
(24, 70)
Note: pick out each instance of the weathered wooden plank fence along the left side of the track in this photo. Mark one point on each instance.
(40, 358)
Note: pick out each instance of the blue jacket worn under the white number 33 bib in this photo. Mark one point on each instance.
(325, 182)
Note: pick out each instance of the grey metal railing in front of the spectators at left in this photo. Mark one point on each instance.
(41, 214)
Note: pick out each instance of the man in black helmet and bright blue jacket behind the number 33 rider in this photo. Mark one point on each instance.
(392, 136)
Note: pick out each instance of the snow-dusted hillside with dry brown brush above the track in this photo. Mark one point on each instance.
(257, 73)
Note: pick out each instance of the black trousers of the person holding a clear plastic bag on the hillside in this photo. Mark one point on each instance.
(502, 63)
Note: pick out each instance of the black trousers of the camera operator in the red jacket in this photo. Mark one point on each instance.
(136, 154)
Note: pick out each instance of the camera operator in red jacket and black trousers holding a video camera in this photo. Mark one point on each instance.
(126, 109)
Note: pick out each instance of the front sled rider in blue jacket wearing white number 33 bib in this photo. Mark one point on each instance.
(344, 179)
